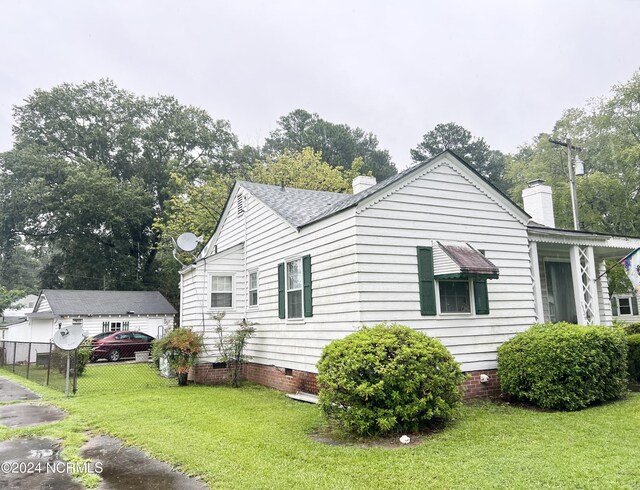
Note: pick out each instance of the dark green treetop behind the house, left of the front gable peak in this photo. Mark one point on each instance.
(339, 144)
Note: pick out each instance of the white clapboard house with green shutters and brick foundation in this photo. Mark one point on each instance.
(436, 247)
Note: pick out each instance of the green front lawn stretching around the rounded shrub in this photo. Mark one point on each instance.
(254, 437)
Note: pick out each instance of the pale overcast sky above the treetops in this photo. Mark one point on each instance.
(505, 70)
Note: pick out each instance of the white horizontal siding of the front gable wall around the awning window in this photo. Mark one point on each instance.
(447, 204)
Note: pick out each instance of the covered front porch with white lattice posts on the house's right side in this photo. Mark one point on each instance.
(567, 271)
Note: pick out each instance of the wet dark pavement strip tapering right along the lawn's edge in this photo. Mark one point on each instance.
(125, 468)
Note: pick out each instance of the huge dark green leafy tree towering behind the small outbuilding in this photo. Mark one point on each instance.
(90, 171)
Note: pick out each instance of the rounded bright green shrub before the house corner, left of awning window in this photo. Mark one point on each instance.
(386, 379)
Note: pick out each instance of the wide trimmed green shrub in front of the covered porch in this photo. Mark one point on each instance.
(564, 366)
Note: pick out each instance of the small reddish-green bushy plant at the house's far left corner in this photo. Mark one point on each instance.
(180, 347)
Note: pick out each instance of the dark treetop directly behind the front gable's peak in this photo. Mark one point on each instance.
(490, 163)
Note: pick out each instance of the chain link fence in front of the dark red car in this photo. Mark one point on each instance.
(118, 367)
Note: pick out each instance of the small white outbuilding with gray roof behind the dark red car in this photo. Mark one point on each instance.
(96, 312)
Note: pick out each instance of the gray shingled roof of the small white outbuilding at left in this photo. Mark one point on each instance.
(73, 302)
